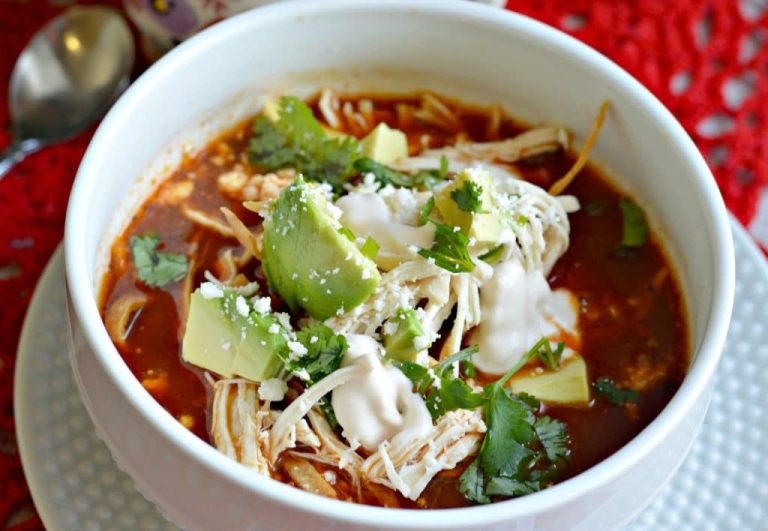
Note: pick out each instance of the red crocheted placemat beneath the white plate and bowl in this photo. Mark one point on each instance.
(703, 59)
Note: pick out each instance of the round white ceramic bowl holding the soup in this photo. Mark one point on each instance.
(456, 48)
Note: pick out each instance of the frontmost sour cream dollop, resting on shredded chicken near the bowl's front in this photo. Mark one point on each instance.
(379, 405)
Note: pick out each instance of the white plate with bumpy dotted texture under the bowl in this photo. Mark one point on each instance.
(76, 485)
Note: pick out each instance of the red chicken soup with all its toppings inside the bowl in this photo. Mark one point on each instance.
(398, 301)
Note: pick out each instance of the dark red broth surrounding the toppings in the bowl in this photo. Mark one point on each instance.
(633, 324)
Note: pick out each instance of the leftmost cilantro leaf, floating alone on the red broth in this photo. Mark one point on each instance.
(154, 268)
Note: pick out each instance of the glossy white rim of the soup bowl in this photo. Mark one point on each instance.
(695, 383)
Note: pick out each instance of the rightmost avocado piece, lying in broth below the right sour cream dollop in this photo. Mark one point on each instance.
(567, 385)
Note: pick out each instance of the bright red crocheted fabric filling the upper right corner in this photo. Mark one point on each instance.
(705, 60)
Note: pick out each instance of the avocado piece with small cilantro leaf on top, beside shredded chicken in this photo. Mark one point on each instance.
(484, 226)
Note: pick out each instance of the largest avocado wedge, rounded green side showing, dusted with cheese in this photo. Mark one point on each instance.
(307, 261)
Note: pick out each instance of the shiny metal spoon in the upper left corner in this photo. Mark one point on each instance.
(66, 78)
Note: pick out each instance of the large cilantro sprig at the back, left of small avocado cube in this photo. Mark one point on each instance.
(297, 140)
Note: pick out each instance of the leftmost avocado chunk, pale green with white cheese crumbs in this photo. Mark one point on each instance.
(219, 338)
